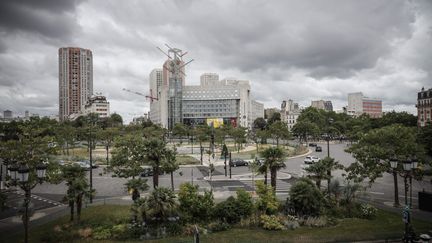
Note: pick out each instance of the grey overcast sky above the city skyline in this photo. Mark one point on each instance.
(300, 50)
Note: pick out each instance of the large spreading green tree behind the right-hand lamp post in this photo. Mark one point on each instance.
(375, 149)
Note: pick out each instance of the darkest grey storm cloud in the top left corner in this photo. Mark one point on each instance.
(51, 18)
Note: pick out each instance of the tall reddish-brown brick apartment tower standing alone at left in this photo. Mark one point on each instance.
(75, 80)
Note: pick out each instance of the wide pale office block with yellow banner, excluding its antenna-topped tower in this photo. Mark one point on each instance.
(227, 101)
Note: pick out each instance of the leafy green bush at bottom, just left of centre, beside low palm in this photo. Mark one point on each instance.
(195, 207)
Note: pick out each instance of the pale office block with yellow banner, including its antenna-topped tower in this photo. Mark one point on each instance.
(227, 101)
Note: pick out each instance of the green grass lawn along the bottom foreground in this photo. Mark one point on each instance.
(387, 225)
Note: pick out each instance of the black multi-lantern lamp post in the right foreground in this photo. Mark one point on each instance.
(409, 165)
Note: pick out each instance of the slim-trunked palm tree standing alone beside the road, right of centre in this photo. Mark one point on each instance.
(274, 157)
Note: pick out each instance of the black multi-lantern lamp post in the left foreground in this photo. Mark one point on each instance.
(21, 176)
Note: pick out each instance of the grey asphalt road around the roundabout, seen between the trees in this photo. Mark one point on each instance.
(107, 186)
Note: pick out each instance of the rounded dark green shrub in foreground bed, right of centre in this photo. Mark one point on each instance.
(305, 198)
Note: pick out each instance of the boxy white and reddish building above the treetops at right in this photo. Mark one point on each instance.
(359, 104)
